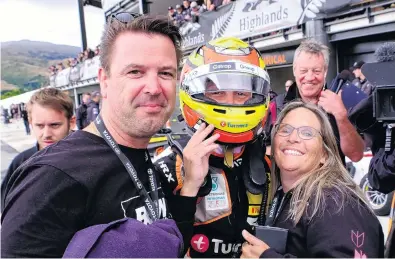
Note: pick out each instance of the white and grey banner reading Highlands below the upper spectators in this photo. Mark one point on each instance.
(254, 17)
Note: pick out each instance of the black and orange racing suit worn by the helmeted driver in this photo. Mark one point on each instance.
(231, 202)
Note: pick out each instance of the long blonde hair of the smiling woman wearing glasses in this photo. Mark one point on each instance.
(310, 191)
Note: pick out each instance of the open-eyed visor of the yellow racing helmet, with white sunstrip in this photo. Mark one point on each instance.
(230, 88)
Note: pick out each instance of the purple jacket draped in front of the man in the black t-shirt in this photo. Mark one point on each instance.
(127, 238)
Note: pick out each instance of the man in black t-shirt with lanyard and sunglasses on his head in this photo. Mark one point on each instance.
(80, 181)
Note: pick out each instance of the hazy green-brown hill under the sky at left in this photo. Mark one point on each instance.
(24, 64)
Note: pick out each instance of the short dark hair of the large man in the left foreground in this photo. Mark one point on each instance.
(142, 24)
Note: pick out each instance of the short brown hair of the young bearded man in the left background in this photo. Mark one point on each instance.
(52, 98)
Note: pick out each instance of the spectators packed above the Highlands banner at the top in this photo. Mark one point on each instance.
(189, 11)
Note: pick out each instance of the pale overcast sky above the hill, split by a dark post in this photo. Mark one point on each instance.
(55, 21)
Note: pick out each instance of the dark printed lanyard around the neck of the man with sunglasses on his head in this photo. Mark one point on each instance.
(150, 205)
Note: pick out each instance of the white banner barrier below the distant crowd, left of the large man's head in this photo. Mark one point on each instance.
(80, 72)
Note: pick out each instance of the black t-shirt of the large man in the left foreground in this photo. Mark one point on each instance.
(73, 184)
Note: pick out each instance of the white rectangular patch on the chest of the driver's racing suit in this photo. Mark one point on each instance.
(217, 199)
